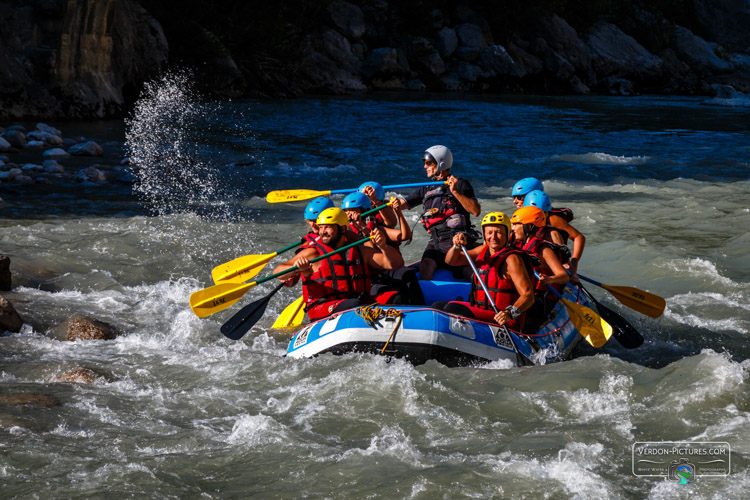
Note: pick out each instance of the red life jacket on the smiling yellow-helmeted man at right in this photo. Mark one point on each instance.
(502, 290)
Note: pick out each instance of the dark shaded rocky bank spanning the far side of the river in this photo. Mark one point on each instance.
(73, 59)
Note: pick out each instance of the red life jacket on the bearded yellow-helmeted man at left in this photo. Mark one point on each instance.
(339, 277)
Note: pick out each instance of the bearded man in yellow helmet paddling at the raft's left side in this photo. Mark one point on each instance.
(341, 281)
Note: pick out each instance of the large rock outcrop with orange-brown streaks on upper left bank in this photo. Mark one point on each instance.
(75, 59)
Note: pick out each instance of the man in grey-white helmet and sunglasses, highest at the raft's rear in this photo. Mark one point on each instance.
(448, 210)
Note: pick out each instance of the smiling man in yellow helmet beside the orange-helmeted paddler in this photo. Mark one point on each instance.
(505, 271)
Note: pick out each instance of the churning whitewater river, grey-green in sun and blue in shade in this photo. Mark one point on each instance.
(660, 187)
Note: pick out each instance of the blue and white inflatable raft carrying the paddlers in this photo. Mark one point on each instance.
(419, 334)
